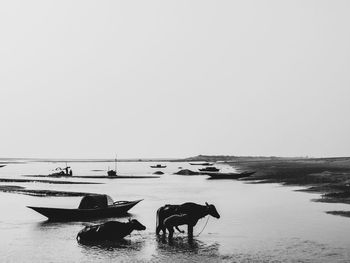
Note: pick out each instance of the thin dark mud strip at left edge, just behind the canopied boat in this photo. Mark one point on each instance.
(43, 193)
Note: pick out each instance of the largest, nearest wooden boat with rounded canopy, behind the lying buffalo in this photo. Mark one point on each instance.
(91, 206)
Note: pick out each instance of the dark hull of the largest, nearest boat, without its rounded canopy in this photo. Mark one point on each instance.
(64, 214)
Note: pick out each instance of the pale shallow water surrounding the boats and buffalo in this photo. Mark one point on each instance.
(259, 222)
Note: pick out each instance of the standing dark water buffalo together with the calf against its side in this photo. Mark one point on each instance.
(170, 216)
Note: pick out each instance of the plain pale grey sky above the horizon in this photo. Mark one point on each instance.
(86, 79)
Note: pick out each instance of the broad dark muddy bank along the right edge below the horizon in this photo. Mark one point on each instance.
(329, 177)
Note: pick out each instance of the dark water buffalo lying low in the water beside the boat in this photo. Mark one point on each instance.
(112, 230)
